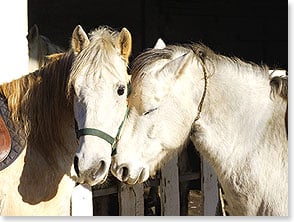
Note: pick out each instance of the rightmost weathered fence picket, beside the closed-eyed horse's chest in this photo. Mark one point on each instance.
(209, 189)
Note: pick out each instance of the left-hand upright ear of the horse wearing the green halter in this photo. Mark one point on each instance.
(79, 39)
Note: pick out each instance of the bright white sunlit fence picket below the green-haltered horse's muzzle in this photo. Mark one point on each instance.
(82, 201)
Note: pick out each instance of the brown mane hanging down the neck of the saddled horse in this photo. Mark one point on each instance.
(39, 103)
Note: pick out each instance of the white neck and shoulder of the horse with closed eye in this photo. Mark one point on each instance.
(241, 133)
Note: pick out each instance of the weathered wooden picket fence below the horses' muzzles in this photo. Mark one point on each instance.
(131, 200)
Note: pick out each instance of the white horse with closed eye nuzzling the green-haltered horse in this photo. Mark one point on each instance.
(228, 108)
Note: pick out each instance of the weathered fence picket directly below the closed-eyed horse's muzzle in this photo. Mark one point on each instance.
(131, 200)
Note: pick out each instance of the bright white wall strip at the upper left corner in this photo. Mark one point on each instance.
(14, 49)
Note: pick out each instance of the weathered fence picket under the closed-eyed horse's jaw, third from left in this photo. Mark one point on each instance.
(169, 188)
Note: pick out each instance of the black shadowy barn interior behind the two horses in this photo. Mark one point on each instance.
(255, 31)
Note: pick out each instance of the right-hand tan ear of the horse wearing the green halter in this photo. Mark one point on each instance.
(125, 43)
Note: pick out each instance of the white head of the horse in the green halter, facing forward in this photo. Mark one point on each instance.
(99, 82)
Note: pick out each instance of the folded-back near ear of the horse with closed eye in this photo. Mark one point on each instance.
(176, 66)
